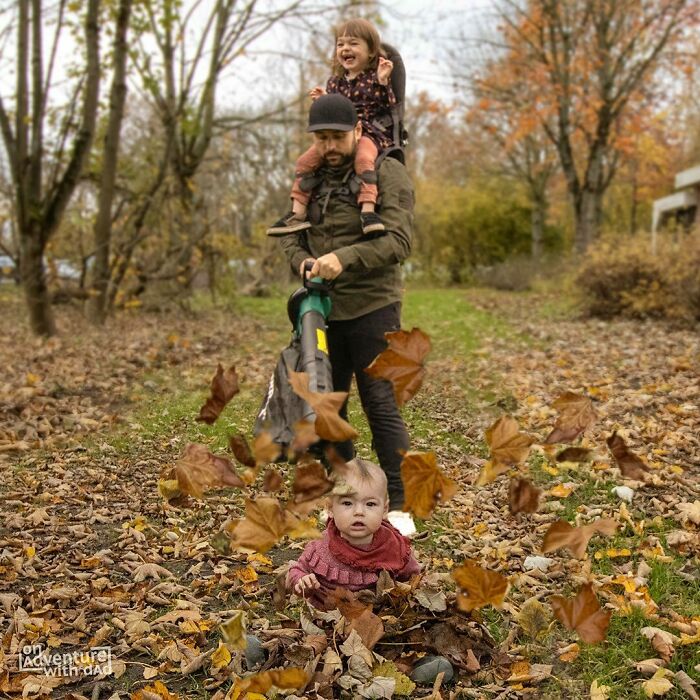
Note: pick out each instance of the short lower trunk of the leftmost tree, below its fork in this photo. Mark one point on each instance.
(34, 282)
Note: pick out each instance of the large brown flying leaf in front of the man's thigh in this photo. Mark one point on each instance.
(402, 362)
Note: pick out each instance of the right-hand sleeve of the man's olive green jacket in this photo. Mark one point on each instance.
(394, 246)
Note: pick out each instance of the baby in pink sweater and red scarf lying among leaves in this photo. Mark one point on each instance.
(358, 543)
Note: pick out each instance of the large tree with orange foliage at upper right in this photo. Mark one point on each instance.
(584, 69)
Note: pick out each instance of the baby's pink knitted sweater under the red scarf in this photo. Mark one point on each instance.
(332, 573)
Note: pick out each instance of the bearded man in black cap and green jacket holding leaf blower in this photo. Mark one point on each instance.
(366, 294)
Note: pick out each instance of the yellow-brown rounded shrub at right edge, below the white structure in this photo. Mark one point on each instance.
(624, 278)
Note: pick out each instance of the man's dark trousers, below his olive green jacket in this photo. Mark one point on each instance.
(352, 345)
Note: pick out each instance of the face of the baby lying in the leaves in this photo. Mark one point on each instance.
(359, 514)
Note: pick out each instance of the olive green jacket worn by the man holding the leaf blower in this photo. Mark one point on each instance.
(371, 276)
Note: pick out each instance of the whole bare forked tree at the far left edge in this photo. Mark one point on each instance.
(40, 197)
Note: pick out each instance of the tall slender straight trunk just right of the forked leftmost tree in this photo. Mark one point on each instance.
(97, 305)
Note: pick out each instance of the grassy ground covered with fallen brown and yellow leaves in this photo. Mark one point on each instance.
(91, 555)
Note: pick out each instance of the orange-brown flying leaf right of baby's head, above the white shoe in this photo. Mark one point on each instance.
(424, 483)
